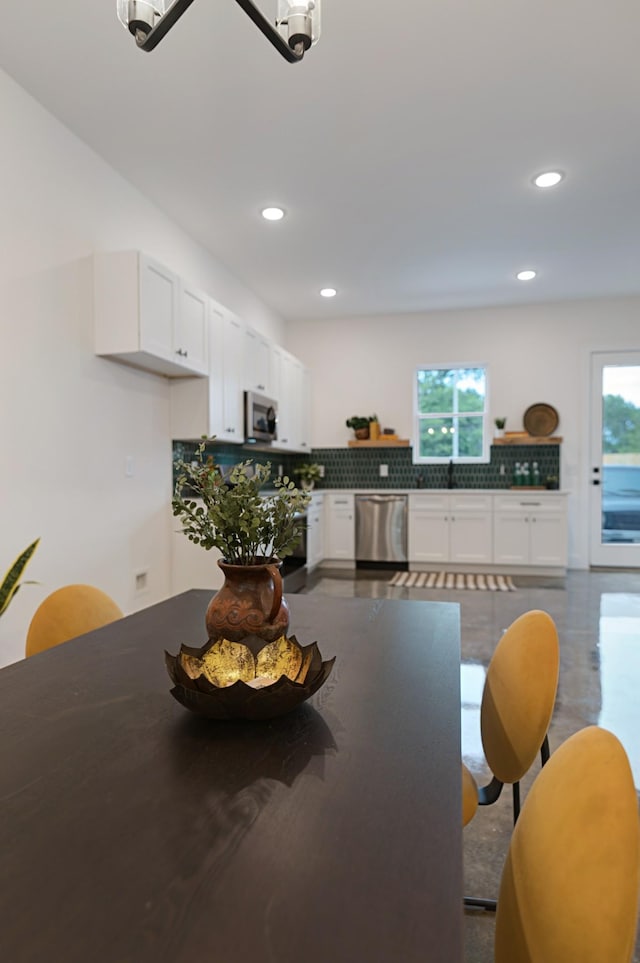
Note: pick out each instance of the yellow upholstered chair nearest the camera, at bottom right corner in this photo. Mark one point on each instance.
(569, 890)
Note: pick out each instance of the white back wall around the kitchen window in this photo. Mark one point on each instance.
(534, 354)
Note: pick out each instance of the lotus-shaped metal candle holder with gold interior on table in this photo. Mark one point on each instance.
(252, 679)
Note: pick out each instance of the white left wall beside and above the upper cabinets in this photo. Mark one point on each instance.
(68, 418)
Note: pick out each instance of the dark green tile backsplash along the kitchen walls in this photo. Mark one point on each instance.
(359, 467)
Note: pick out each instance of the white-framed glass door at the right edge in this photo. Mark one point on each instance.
(615, 465)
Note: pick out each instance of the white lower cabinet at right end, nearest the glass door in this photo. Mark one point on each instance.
(530, 530)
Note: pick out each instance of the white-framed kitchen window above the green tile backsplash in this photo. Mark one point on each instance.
(451, 414)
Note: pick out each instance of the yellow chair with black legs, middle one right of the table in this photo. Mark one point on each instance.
(517, 704)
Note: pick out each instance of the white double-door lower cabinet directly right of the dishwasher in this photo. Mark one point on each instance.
(450, 528)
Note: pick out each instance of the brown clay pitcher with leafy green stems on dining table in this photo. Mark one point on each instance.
(252, 531)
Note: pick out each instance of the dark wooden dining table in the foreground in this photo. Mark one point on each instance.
(132, 831)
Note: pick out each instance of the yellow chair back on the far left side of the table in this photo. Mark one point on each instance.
(68, 612)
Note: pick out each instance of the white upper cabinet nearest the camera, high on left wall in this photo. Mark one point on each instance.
(146, 317)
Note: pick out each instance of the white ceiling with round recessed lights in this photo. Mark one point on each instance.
(402, 147)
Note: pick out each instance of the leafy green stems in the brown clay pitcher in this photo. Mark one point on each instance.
(246, 527)
